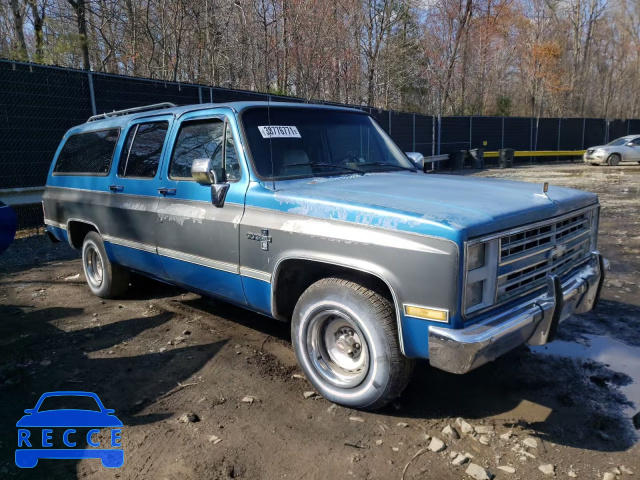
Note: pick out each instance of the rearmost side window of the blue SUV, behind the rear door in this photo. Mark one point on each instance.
(88, 153)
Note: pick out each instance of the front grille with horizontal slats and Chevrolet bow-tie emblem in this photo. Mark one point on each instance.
(554, 247)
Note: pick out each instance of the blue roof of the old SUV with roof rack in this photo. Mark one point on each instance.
(121, 120)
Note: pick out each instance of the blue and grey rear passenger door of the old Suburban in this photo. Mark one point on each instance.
(133, 218)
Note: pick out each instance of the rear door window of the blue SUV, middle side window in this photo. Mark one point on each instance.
(142, 149)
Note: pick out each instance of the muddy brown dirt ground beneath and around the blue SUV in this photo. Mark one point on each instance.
(162, 352)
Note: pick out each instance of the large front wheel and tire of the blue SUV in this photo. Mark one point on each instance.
(346, 341)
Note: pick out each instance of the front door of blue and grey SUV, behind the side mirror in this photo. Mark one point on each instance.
(198, 242)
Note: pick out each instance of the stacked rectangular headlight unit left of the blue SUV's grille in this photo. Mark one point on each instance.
(481, 265)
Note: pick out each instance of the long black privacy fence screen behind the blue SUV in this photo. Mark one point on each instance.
(39, 103)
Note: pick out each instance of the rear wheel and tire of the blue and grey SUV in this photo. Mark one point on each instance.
(105, 279)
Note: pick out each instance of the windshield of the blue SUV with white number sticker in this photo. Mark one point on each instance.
(308, 142)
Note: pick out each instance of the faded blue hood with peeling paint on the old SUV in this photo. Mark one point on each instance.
(471, 205)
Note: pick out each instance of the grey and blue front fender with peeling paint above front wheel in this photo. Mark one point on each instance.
(418, 269)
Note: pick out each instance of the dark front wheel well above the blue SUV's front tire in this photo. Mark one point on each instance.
(296, 275)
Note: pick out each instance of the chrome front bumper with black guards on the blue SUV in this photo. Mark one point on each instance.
(535, 322)
